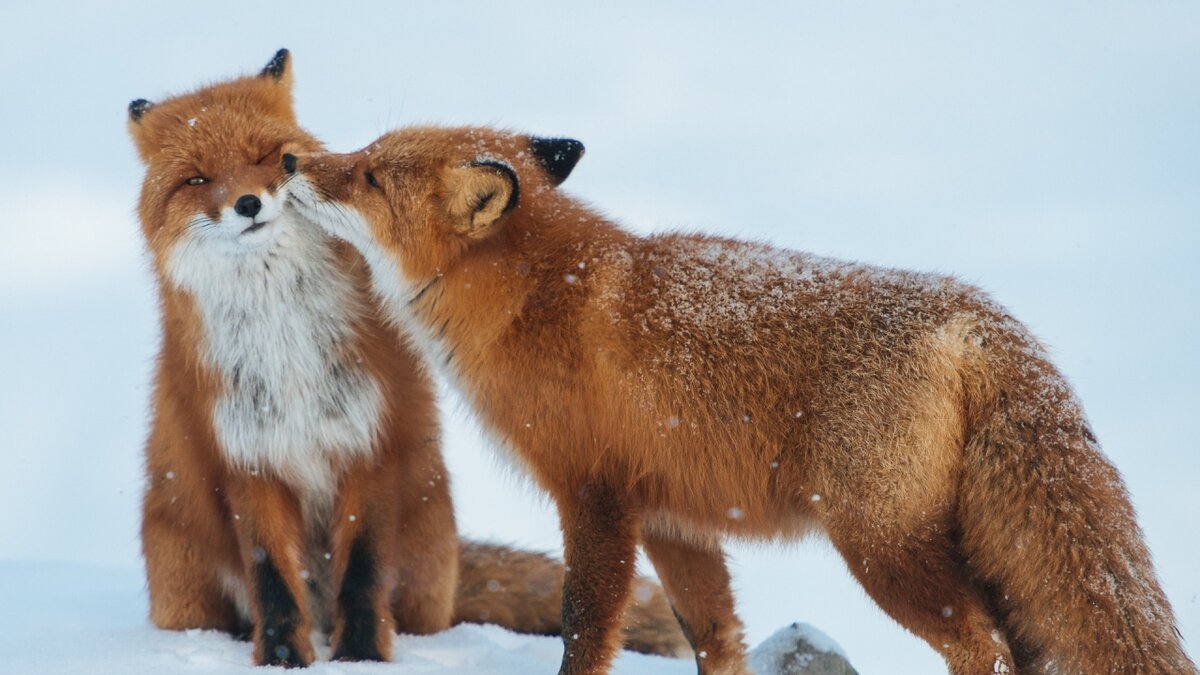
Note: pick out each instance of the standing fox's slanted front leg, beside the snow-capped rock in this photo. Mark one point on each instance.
(698, 583)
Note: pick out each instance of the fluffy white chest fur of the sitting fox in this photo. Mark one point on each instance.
(279, 325)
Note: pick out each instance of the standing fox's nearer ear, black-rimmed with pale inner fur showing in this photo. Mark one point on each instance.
(479, 195)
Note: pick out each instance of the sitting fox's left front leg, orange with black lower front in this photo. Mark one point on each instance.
(271, 535)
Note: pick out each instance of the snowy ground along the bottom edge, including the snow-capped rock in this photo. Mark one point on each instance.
(91, 620)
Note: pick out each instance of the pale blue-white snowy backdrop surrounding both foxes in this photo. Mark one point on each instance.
(1046, 152)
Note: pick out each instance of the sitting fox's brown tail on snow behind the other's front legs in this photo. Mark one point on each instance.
(524, 592)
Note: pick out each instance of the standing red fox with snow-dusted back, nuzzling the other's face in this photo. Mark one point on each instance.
(675, 390)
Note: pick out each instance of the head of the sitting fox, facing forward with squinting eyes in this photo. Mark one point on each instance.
(213, 160)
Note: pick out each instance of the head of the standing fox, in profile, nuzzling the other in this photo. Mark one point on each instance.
(424, 196)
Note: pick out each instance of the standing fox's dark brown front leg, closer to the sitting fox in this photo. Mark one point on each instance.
(601, 546)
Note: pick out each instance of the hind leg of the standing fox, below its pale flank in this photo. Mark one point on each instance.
(919, 580)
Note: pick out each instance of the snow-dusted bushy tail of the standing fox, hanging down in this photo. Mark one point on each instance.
(1048, 524)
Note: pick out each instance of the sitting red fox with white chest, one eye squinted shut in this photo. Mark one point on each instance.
(295, 477)
